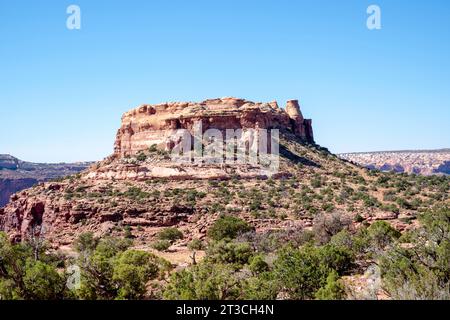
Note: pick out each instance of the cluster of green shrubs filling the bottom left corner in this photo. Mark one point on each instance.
(104, 269)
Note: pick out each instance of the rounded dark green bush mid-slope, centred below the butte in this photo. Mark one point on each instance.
(228, 227)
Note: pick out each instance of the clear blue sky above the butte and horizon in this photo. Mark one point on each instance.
(62, 92)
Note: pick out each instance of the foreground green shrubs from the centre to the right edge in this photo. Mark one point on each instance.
(415, 265)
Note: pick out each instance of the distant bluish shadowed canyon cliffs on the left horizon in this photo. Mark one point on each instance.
(16, 175)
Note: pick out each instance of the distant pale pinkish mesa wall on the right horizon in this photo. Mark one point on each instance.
(423, 162)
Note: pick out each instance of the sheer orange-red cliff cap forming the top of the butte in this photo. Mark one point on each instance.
(149, 125)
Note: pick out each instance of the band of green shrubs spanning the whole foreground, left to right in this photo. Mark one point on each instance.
(241, 264)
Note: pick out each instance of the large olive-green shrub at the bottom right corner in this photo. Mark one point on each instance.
(421, 270)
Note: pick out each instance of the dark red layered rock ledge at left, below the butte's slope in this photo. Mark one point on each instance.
(59, 218)
